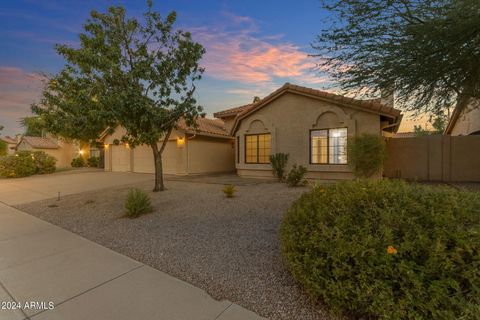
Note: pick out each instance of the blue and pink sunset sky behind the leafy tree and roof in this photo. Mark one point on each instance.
(253, 47)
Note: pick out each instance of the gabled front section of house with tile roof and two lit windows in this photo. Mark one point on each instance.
(311, 126)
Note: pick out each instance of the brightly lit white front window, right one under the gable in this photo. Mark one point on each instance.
(328, 146)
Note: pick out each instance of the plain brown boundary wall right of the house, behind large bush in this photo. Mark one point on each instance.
(434, 158)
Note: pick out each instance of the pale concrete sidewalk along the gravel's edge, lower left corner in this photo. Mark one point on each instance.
(42, 263)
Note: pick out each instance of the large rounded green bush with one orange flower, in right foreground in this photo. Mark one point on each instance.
(387, 249)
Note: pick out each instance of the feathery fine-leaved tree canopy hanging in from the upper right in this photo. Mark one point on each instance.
(427, 50)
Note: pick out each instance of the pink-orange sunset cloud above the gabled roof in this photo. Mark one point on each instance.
(235, 52)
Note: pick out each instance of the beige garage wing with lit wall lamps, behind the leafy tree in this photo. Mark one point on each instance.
(205, 149)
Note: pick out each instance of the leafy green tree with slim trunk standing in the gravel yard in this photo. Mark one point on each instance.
(136, 73)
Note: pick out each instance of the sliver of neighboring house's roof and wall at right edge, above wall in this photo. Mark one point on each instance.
(465, 122)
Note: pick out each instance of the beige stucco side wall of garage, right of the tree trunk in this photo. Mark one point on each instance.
(209, 155)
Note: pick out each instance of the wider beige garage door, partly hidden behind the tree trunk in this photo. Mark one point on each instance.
(143, 159)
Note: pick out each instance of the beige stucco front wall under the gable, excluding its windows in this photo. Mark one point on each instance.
(289, 120)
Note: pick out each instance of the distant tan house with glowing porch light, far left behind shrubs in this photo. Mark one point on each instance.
(63, 151)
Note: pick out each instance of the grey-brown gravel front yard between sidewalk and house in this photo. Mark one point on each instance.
(228, 247)
